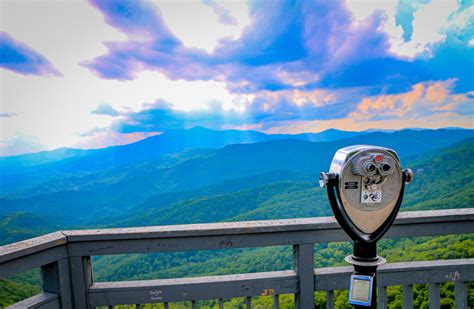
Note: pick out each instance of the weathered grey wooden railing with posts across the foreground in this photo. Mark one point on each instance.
(67, 279)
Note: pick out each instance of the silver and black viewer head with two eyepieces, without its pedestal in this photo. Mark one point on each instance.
(369, 183)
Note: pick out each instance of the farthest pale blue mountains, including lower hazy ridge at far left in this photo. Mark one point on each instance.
(30, 170)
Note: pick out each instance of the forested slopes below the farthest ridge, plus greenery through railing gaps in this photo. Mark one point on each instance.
(270, 180)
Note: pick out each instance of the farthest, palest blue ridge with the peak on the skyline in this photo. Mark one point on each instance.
(155, 146)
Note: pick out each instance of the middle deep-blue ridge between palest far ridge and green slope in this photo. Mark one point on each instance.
(113, 191)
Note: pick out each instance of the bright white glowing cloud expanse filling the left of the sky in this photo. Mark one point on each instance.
(58, 110)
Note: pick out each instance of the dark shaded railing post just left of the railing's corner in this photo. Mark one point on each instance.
(56, 279)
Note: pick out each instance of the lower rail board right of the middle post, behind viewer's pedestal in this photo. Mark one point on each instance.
(419, 272)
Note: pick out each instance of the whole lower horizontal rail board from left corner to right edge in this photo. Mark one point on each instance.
(271, 283)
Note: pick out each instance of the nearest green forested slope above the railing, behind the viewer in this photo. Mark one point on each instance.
(440, 183)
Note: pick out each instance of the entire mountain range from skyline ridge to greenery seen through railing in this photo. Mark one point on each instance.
(201, 175)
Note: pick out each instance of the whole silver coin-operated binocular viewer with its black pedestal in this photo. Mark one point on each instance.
(365, 187)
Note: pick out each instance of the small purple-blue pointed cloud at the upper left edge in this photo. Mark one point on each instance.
(20, 58)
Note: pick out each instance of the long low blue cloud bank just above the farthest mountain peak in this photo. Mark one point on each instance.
(263, 109)
